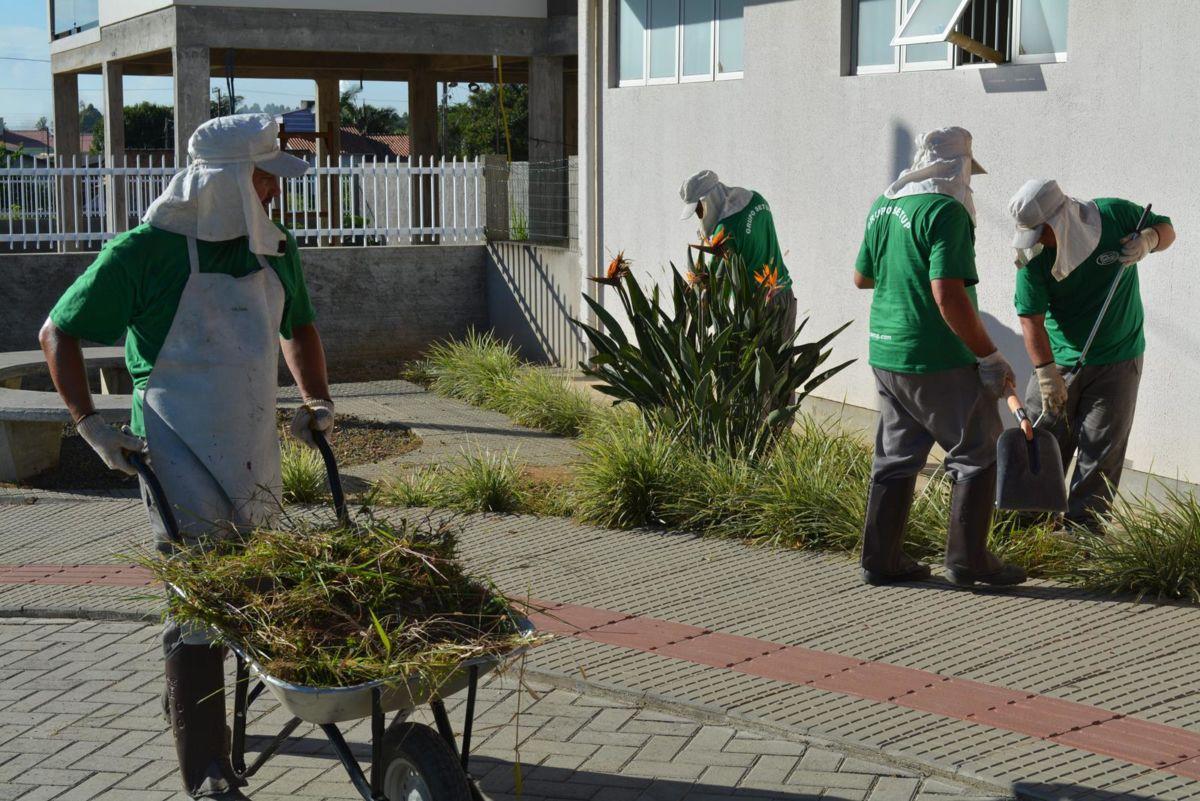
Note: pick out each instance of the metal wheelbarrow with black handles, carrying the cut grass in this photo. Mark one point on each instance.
(410, 762)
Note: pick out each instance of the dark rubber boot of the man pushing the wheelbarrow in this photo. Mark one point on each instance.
(196, 698)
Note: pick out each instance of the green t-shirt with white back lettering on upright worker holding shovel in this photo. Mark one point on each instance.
(909, 243)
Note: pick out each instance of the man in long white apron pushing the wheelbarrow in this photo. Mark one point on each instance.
(203, 292)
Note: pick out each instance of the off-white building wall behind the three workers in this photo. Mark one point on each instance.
(1120, 118)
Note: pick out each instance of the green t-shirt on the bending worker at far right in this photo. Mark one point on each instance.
(1072, 305)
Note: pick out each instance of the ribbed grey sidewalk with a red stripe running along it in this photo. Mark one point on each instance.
(1045, 691)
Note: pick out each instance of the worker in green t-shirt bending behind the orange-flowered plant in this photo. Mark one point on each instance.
(743, 221)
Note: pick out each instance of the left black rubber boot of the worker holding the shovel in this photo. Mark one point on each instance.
(887, 515)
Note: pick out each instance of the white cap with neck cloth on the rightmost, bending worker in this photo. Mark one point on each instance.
(1076, 224)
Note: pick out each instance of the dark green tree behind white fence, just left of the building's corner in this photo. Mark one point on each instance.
(477, 127)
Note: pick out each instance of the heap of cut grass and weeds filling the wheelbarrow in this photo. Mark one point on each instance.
(333, 606)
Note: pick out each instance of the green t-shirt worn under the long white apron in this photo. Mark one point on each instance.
(134, 290)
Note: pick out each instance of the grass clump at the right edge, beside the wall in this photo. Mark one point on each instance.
(1151, 547)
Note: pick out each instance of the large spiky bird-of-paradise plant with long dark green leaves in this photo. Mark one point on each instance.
(713, 364)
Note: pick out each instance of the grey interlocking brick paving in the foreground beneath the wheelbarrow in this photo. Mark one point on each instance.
(81, 719)
